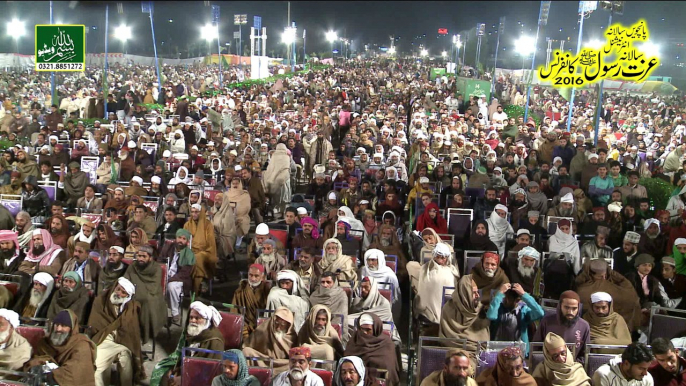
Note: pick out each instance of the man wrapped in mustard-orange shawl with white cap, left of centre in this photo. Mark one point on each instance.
(203, 246)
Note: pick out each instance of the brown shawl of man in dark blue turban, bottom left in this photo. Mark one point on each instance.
(75, 358)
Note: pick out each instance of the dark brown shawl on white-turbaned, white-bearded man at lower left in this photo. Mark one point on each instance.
(105, 320)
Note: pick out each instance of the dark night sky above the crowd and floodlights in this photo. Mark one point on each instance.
(362, 22)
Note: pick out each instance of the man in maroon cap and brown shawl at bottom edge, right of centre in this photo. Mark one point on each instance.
(508, 370)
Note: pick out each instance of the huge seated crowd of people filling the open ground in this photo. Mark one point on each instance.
(356, 194)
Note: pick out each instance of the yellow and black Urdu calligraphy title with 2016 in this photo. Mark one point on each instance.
(617, 59)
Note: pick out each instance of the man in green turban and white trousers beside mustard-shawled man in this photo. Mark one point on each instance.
(181, 264)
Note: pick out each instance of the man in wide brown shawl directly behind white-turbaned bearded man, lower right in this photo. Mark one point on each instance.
(597, 276)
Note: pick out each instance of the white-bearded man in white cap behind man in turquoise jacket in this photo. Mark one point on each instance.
(524, 270)
